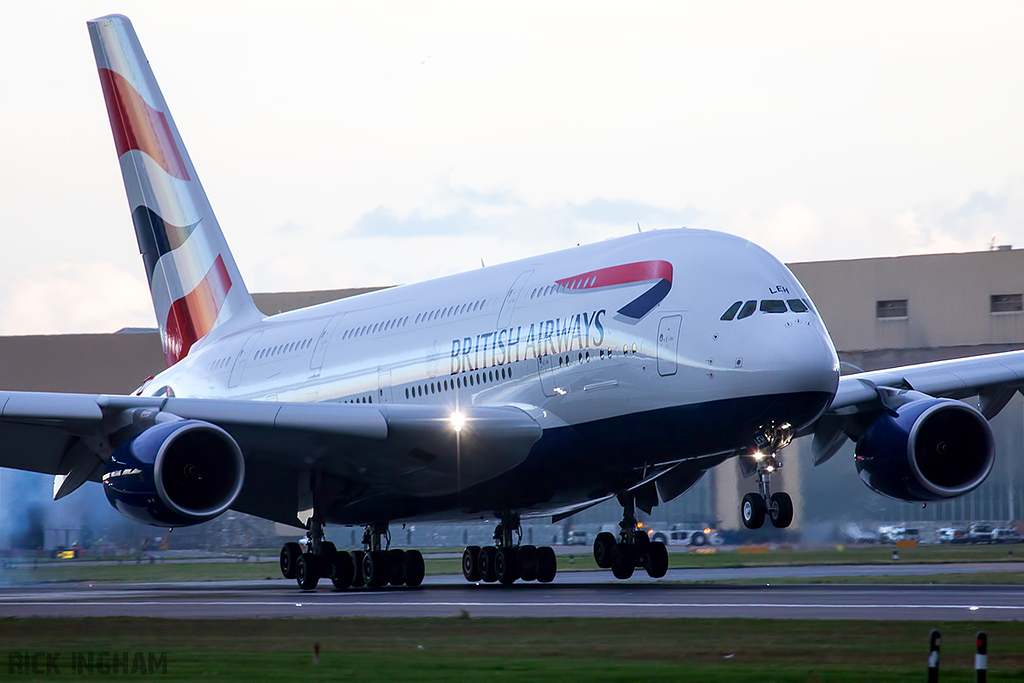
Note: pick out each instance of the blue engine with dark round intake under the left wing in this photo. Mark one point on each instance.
(176, 475)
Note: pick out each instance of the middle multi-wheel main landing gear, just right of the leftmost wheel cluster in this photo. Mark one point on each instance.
(507, 562)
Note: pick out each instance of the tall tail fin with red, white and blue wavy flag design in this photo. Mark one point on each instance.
(196, 286)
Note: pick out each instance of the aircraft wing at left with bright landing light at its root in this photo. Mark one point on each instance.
(410, 450)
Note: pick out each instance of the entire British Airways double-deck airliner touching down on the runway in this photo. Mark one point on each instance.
(625, 369)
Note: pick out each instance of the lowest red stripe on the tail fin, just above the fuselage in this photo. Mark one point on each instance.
(193, 316)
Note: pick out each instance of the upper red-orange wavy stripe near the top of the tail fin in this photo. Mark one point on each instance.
(139, 126)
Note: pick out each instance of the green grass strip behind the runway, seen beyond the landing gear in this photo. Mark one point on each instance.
(130, 572)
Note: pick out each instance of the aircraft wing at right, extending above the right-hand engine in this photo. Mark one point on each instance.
(994, 378)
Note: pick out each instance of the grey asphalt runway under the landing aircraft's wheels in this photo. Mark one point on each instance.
(574, 594)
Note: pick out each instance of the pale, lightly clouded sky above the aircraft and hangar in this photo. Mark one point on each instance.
(351, 145)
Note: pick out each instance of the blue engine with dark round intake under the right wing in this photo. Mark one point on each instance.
(933, 450)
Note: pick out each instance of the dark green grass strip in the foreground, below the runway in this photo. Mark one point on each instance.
(564, 650)
